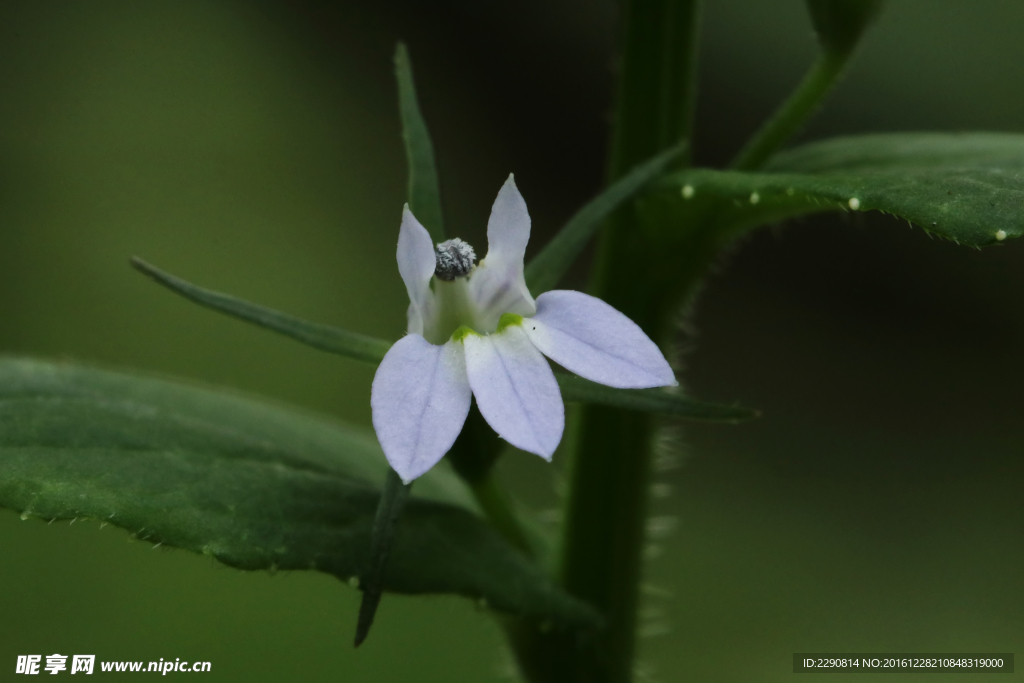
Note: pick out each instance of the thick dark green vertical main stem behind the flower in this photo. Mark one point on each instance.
(604, 534)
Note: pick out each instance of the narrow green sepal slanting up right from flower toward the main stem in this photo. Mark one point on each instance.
(548, 268)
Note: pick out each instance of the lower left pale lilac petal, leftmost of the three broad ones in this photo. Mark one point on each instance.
(420, 400)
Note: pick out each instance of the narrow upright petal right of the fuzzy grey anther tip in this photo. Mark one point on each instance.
(498, 285)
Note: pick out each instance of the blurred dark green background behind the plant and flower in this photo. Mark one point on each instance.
(254, 148)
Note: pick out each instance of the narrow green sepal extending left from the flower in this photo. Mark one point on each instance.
(324, 337)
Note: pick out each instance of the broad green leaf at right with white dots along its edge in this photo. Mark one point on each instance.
(968, 188)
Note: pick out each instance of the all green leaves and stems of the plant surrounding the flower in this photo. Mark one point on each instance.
(263, 488)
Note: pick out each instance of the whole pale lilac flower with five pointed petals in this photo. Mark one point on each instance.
(483, 335)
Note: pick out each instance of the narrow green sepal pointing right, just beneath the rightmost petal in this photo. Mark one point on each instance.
(649, 401)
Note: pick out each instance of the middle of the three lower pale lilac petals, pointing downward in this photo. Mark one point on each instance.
(517, 391)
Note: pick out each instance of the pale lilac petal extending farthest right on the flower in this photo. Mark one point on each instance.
(590, 338)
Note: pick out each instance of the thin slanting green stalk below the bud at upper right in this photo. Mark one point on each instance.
(795, 112)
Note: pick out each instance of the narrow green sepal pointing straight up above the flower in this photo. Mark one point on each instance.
(424, 189)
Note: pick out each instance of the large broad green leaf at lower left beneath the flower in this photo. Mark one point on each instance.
(252, 485)
